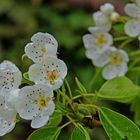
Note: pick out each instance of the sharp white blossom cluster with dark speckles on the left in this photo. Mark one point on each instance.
(35, 102)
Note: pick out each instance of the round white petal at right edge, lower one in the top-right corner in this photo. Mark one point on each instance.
(132, 28)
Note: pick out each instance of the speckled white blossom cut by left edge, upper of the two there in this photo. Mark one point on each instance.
(10, 76)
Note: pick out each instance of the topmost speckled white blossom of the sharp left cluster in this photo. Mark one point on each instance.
(42, 45)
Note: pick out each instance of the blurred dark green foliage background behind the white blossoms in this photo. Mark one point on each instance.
(68, 21)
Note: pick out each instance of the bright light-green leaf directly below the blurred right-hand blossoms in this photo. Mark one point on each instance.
(119, 89)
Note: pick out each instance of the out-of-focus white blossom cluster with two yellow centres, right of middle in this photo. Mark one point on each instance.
(99, 44)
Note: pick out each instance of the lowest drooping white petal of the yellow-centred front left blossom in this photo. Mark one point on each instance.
(39, 121)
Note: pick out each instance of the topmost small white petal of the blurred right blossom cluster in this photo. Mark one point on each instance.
(107, 8)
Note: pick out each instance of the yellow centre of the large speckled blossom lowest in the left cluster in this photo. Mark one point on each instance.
(43, 101)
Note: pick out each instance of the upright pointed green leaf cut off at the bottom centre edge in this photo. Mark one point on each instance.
(80, 133)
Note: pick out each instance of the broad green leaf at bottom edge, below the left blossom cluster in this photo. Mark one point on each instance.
(48, 133)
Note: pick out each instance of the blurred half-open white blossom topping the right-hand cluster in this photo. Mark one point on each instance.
(105, 16)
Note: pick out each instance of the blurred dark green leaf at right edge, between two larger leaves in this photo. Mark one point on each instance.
(135, 107)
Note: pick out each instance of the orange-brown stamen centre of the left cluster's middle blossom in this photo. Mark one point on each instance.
(52, 76)
